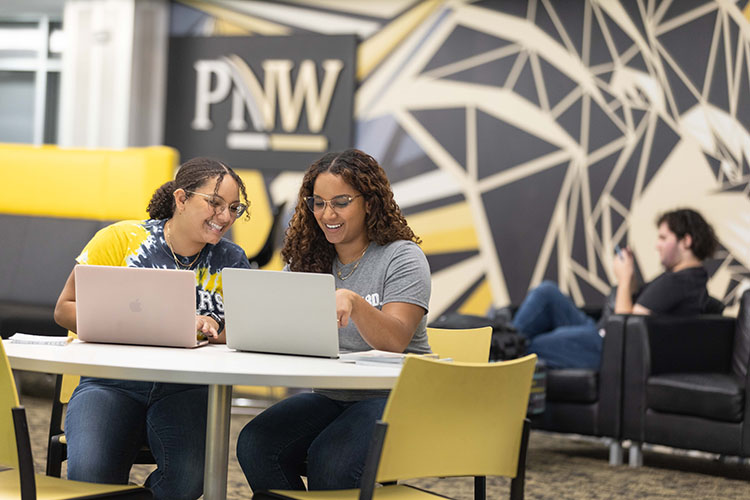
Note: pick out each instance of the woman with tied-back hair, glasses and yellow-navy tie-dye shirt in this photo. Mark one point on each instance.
(108, 421)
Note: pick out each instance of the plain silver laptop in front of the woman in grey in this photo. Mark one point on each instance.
(280, 312)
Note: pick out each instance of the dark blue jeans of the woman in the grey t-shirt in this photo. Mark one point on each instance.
(333, 436)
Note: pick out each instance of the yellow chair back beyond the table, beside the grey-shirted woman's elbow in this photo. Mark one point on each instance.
(471, 345)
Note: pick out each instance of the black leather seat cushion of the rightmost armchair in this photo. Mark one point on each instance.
(716, 396)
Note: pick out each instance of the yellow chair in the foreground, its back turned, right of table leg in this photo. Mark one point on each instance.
(445, 419)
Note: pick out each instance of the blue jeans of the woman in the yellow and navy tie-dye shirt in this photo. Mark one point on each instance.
(108, 421)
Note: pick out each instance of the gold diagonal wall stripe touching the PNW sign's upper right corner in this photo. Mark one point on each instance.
(373, 50)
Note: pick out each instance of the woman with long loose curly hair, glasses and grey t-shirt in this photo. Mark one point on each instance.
(346, 223)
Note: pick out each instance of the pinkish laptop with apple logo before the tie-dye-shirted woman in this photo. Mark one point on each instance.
(128, 305)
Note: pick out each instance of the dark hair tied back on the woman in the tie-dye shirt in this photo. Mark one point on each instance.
(190, 176)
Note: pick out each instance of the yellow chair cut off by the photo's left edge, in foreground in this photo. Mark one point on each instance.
(17, 478)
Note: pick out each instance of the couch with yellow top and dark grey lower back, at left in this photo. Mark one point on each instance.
(53, 201)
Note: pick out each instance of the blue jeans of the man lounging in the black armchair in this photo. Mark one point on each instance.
(560, 333)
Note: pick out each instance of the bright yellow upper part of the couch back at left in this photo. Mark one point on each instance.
(49, 181)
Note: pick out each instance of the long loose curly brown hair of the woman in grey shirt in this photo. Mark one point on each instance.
(306, 247)
